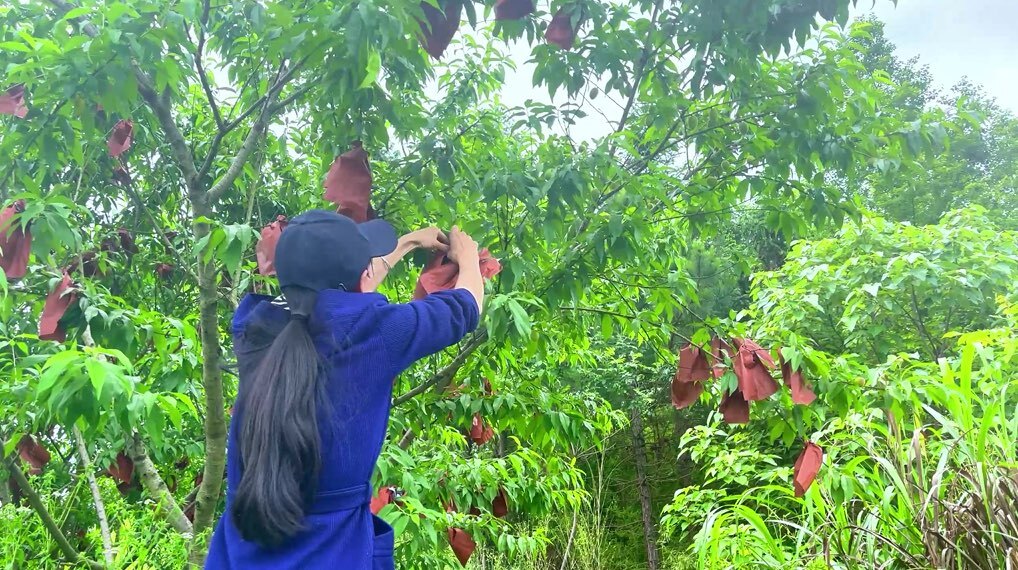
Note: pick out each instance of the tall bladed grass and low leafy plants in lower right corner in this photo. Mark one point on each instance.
(928, 487)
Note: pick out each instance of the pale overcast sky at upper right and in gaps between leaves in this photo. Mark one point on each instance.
(978, 39)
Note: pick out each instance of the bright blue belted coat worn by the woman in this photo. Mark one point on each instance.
(365, 343)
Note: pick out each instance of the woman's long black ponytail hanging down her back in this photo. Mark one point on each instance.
(279, 433)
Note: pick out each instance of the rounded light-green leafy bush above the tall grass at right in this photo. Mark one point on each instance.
(881, 289)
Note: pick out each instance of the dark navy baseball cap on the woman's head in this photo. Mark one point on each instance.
(321, 250)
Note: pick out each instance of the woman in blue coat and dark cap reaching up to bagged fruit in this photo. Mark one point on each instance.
(316, 371)
